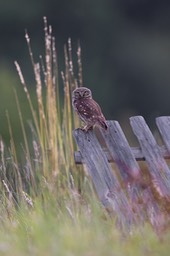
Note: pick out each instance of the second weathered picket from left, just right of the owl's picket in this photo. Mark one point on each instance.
(129, 169)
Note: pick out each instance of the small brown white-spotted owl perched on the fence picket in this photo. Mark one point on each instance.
(88, 109)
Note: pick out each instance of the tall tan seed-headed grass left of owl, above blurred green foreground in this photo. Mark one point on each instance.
(49, 162)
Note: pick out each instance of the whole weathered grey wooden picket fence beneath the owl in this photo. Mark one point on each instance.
(131, 194)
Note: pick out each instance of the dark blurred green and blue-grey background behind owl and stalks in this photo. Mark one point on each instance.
(125, 53)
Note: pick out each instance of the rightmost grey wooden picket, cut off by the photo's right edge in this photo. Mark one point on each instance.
(163, 124)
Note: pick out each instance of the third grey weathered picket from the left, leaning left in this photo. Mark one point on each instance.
(157, 165)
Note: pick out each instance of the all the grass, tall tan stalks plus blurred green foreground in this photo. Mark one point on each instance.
(48, 205)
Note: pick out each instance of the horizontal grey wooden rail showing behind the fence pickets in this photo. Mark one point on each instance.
(136, 151)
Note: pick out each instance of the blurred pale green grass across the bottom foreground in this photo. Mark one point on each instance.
(54, 232)
